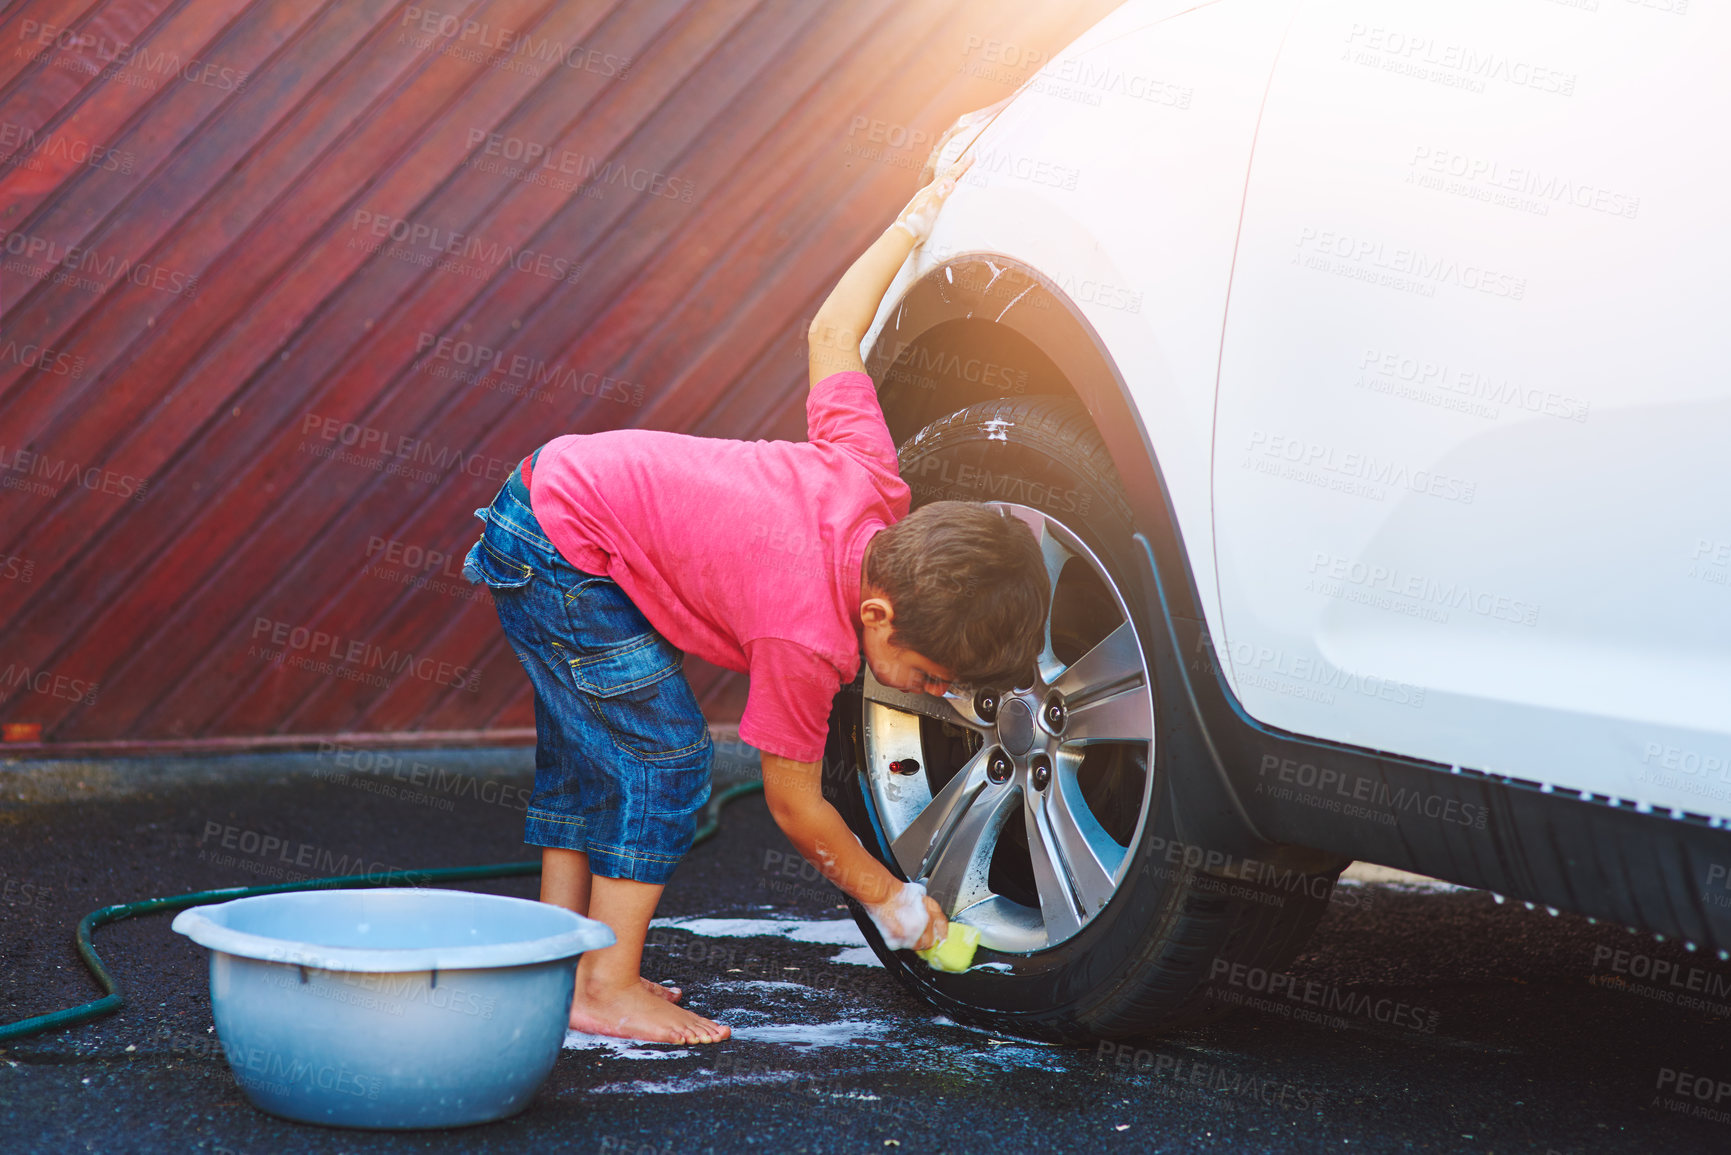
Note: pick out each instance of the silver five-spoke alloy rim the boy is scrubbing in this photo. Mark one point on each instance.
(951, 777)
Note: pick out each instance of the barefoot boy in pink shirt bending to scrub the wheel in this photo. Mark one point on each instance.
(610, 555)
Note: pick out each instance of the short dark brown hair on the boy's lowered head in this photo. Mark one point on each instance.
(970, 591)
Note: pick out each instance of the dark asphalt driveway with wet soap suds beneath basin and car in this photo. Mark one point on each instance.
(1521, 1031)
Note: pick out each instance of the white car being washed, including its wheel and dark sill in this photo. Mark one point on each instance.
(1365, 371)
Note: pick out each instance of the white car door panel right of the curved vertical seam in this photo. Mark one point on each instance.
(1469, 467)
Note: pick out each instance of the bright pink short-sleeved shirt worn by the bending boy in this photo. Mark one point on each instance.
(743, 553)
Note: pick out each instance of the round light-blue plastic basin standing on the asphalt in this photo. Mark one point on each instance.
(390, 1009)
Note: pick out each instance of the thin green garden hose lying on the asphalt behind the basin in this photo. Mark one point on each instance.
(106, 915)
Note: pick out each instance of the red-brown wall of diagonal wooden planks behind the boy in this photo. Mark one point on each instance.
(288, 285)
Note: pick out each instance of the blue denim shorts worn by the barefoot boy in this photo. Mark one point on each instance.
(622, 756)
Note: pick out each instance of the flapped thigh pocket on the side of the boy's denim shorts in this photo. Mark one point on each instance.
(645, 700)
